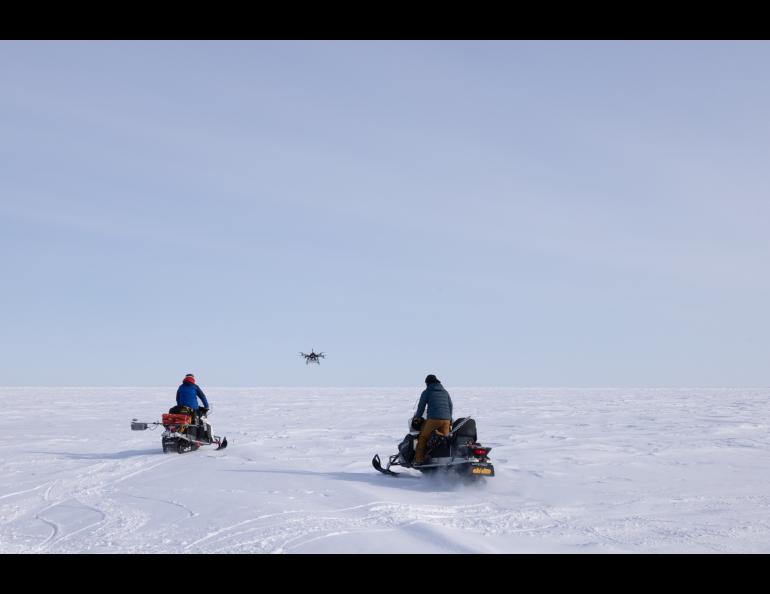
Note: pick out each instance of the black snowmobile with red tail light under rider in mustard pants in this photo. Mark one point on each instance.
(458, 452)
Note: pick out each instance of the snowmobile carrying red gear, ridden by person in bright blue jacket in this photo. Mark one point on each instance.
(184, 430)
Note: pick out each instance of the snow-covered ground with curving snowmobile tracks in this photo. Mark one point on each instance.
(577, 471)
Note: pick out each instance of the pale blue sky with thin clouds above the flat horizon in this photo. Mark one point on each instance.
(497, 213)
